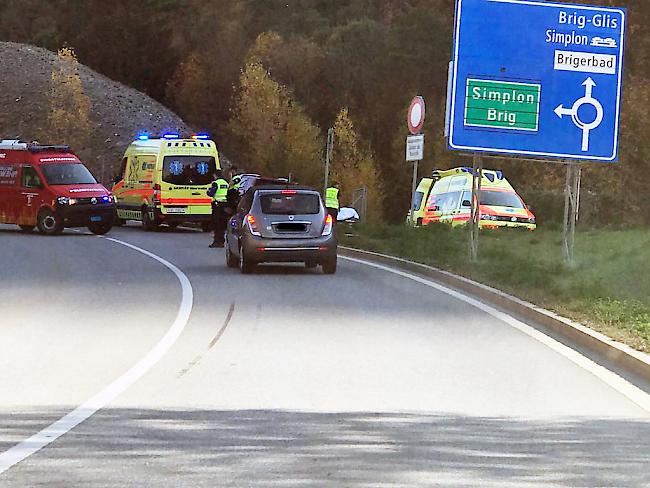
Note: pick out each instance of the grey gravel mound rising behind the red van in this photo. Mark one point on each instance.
(114, 112)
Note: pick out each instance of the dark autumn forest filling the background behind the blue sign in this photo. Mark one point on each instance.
(269, 77)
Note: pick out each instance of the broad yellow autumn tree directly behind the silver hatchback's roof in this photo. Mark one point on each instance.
(274, 136)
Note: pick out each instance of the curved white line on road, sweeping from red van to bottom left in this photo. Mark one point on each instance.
(38, 441)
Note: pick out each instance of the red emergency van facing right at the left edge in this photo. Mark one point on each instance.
(50, 188)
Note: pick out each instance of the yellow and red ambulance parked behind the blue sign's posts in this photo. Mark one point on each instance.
(500, 206)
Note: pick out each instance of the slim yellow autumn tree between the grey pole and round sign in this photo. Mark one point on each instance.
(353, 166)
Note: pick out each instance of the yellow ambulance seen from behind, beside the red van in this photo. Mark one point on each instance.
(164, 180)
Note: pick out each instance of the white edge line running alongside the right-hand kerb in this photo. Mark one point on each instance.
(621, 385)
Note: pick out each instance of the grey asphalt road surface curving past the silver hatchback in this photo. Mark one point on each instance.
(120, 368)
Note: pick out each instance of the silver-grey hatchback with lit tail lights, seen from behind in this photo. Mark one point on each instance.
(281, 223)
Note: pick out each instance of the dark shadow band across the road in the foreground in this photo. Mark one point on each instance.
(287, 449)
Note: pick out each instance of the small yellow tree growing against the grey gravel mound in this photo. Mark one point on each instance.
(69, 107)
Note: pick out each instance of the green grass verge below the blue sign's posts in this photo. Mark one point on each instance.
(608, 289)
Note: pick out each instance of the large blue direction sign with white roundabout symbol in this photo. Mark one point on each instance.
(537, 78)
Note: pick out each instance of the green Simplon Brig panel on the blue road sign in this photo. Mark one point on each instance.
(502, 105)
